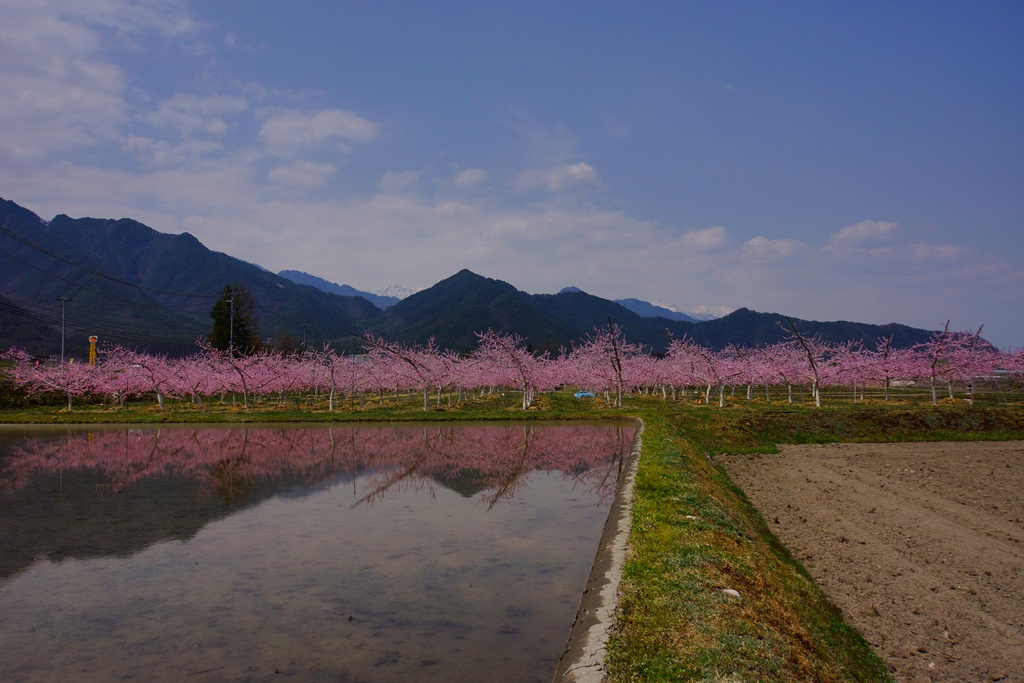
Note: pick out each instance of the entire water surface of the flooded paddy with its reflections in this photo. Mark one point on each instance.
(374, 553)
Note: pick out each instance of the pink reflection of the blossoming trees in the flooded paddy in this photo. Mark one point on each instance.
(498, 458)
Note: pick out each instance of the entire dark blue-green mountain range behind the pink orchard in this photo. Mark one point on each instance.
(134, 286)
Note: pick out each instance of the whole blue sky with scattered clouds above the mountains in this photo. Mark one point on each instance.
(832, 161)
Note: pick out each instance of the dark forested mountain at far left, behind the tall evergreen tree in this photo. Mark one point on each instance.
(134, 286)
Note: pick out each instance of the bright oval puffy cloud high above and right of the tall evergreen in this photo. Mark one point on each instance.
(286, 131)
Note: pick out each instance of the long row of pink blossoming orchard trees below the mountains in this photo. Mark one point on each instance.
(604, 364)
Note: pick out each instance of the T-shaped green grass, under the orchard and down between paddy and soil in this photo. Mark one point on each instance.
(694, 533)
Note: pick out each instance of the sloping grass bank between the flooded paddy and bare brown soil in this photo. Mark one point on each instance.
(695, 537)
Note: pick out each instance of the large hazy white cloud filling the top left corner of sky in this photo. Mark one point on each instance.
(63, 90)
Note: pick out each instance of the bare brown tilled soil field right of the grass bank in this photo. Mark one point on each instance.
(922, 546)
